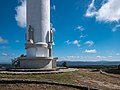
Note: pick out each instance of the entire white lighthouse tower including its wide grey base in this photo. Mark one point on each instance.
(38, 36)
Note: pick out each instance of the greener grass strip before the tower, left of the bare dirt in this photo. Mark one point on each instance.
(62, 78)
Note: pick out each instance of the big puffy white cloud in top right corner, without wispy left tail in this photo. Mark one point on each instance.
(110, 11)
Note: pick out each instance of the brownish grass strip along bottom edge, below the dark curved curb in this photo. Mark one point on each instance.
(34, 87)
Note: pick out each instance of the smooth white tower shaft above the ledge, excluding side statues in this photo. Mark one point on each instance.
(38, 16)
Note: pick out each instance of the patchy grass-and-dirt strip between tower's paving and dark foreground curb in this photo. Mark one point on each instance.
(80, 77)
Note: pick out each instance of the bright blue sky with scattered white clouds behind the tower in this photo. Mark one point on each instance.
(84, 30)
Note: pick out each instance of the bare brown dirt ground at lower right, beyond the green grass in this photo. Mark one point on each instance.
(98, 80)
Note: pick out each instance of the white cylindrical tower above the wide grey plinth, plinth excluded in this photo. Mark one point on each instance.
(38, 28)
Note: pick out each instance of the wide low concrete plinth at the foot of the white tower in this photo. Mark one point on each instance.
(36, 62)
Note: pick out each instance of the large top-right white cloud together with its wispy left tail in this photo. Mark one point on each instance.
(108, 12)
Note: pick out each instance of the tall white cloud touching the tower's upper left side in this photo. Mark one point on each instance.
(21, 14)
